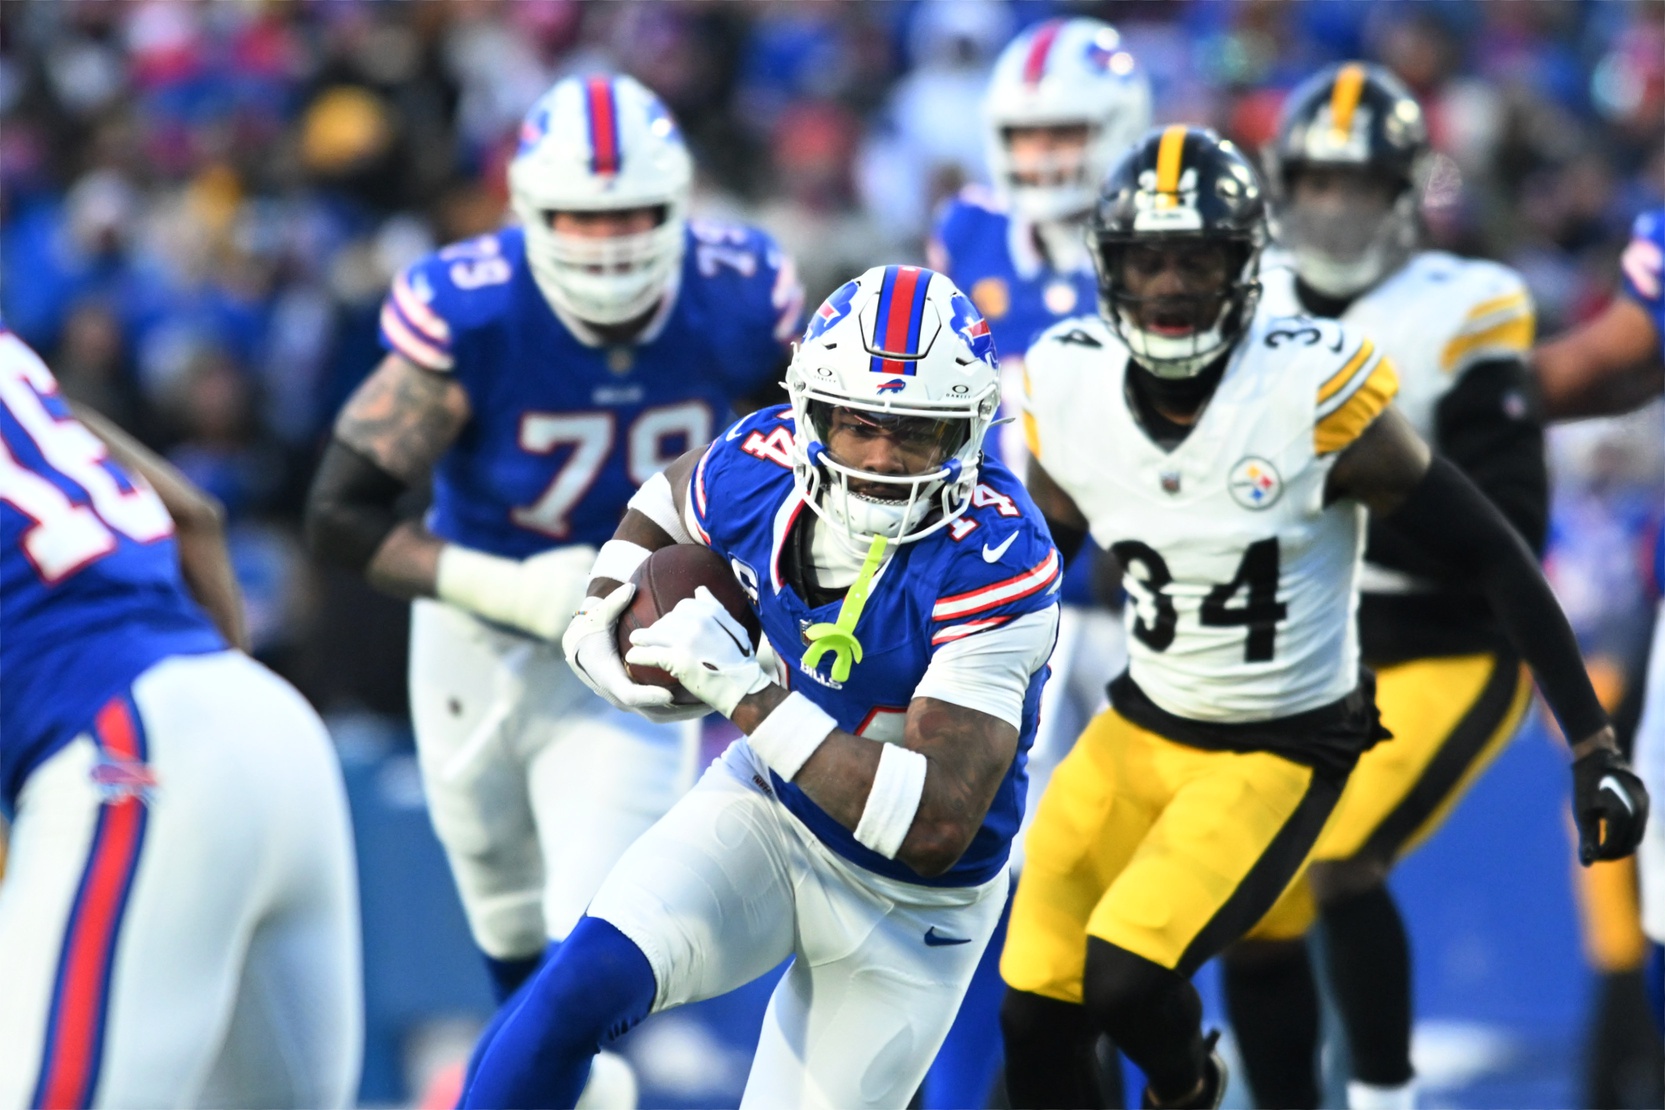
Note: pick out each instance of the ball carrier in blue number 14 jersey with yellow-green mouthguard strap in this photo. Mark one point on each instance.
(865, 823)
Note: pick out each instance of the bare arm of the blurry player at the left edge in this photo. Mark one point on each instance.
(199, 523)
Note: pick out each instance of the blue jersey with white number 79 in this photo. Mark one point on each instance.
(564, 434)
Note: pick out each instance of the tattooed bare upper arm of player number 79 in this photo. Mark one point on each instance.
(404, 419)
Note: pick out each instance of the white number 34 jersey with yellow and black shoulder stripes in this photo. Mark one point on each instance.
(1245, 582)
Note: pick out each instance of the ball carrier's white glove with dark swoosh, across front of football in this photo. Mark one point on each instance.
(705, 648)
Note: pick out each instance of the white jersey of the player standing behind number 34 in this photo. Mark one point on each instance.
(1436, 317)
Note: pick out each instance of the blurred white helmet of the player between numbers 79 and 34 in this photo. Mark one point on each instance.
(1065, 72)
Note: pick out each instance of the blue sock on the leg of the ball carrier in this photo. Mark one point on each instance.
(590, 993)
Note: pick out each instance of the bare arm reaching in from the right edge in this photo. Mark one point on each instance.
(1606, 367)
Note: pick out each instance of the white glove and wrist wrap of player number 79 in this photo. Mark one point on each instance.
(535, 595)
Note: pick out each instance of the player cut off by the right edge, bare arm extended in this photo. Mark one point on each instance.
(1613, 365)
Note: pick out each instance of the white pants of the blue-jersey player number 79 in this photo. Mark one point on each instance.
(535, 786)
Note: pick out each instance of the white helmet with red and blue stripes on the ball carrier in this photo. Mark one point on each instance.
(907, 350)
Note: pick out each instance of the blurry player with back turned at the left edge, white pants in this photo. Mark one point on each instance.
(179, 919)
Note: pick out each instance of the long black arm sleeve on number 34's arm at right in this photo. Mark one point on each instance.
(1464, 532)
